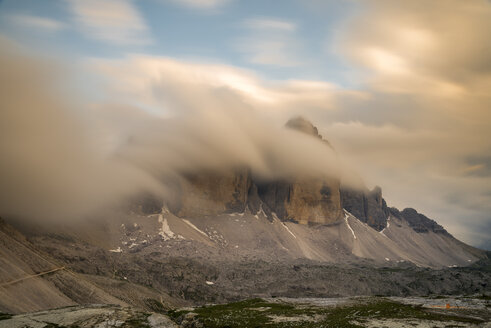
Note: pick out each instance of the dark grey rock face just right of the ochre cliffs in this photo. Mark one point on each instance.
(368, 206)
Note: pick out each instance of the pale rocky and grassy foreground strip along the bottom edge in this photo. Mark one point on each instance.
(276, 312)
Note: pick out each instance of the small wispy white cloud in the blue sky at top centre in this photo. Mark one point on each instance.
(270, 41)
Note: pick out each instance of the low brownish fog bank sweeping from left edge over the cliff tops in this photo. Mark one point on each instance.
(63, 157)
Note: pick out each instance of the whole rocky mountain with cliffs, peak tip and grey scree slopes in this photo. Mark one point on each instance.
(231, 235)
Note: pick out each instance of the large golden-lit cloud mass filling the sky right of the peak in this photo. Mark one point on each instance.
(423, 127)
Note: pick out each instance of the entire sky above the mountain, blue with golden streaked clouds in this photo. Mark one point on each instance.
(400, 89)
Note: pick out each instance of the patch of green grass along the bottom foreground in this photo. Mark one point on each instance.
(260, 313)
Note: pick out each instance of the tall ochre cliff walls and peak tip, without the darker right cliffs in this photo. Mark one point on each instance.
(303, 200)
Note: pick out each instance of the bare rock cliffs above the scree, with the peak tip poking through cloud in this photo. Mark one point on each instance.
(299, 199)
